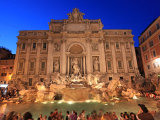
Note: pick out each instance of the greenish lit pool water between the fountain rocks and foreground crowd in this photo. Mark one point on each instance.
(45, 108)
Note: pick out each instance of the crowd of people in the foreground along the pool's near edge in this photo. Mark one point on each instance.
(143, 114)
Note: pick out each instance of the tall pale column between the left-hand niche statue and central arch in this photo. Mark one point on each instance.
(63, 57)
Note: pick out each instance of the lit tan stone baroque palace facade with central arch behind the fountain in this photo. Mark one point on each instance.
(74, 46)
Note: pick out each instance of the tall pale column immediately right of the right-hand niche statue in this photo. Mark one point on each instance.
(102, 57)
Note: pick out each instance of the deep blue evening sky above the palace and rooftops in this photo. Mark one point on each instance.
(16, 15)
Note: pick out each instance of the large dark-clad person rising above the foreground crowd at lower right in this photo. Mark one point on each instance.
(143, 113)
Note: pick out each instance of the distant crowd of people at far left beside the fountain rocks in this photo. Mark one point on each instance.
(6, 94)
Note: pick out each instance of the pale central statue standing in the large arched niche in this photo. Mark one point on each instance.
(76, 69)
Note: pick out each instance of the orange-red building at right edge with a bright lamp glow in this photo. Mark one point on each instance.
(150, 48)
